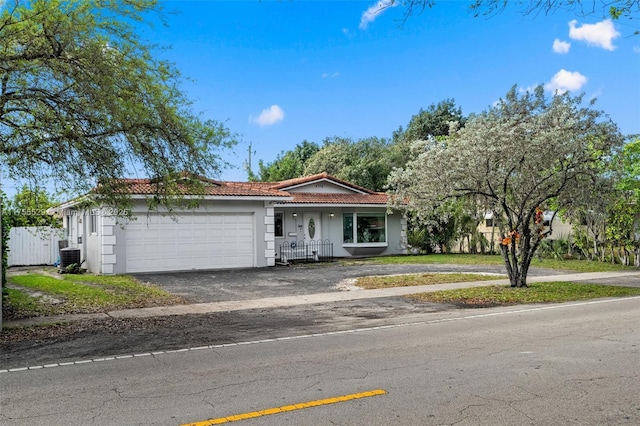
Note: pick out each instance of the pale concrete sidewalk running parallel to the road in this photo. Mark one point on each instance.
(310, 299)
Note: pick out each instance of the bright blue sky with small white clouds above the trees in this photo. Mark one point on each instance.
(280, 72)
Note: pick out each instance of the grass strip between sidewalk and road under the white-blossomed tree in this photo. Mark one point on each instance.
(551, 292)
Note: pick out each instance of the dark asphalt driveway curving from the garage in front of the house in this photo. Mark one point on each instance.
(300, 279)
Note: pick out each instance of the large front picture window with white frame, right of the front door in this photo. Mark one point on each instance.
(364, 228)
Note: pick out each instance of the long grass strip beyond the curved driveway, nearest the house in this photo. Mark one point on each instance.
(480, 259)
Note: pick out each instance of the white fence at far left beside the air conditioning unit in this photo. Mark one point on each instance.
(34, 245)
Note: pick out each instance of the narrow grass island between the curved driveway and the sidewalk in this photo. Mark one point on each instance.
(421, 279)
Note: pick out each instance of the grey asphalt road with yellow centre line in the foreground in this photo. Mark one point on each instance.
(574, 363)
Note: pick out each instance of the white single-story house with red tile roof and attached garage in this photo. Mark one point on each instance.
(237, 225)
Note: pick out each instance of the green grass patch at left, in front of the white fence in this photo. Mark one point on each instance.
(35, 295)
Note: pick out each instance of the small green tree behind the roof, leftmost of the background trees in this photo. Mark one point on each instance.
(287, 165)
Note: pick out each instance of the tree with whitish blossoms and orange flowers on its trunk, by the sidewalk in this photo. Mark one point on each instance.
(515, 160)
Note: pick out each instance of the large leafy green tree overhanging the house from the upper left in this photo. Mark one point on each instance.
(84, 101)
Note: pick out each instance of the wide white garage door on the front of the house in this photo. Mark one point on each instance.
(195, 241)
